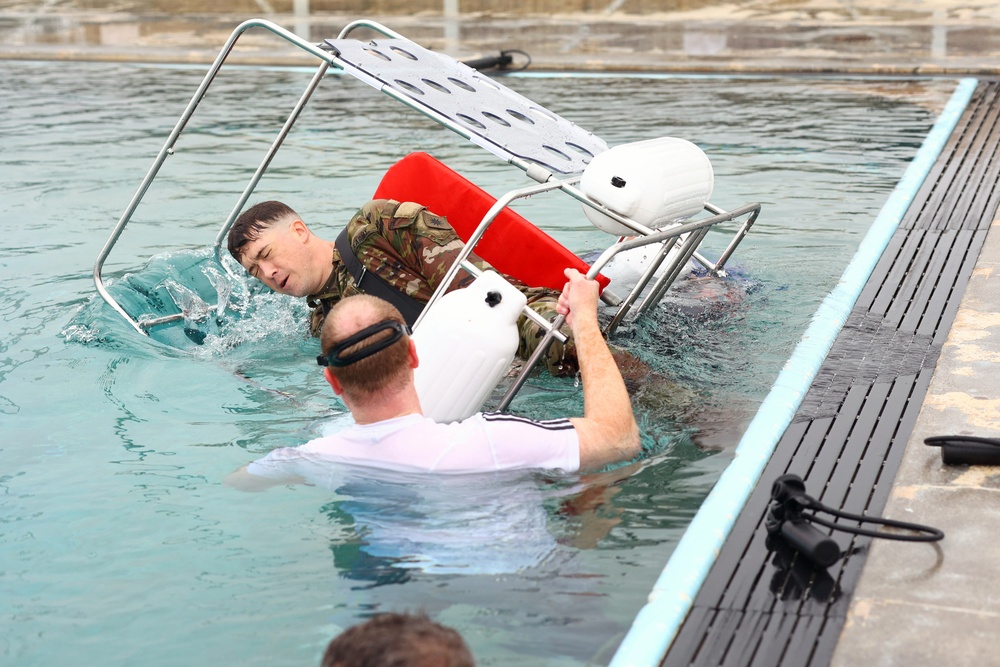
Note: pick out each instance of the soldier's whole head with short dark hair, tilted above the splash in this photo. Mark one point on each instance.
(272, 243)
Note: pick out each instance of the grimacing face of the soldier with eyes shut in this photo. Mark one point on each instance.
(283, 257)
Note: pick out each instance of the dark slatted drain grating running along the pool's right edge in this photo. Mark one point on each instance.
(764, 604)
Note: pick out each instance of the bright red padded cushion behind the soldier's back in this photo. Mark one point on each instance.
(511, 244)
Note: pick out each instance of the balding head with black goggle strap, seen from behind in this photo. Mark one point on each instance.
(366, 345)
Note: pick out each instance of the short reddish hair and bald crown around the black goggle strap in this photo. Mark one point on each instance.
(382, 370)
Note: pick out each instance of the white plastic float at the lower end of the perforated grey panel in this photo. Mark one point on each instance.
(654, 182)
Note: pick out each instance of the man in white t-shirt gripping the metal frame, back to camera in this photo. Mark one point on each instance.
(369, 359)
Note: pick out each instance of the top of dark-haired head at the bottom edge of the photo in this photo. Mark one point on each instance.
(398, 640)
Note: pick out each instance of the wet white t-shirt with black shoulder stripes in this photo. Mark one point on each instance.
(481, 443)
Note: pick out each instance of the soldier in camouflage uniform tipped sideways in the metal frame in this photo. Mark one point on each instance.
(406, 245)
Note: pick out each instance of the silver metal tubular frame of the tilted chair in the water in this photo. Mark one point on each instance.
(679, 243)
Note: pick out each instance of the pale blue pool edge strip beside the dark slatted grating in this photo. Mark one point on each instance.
(670, 599)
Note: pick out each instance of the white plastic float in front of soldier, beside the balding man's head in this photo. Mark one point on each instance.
(466, 342)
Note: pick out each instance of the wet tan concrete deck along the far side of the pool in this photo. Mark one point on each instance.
(807, 36)
